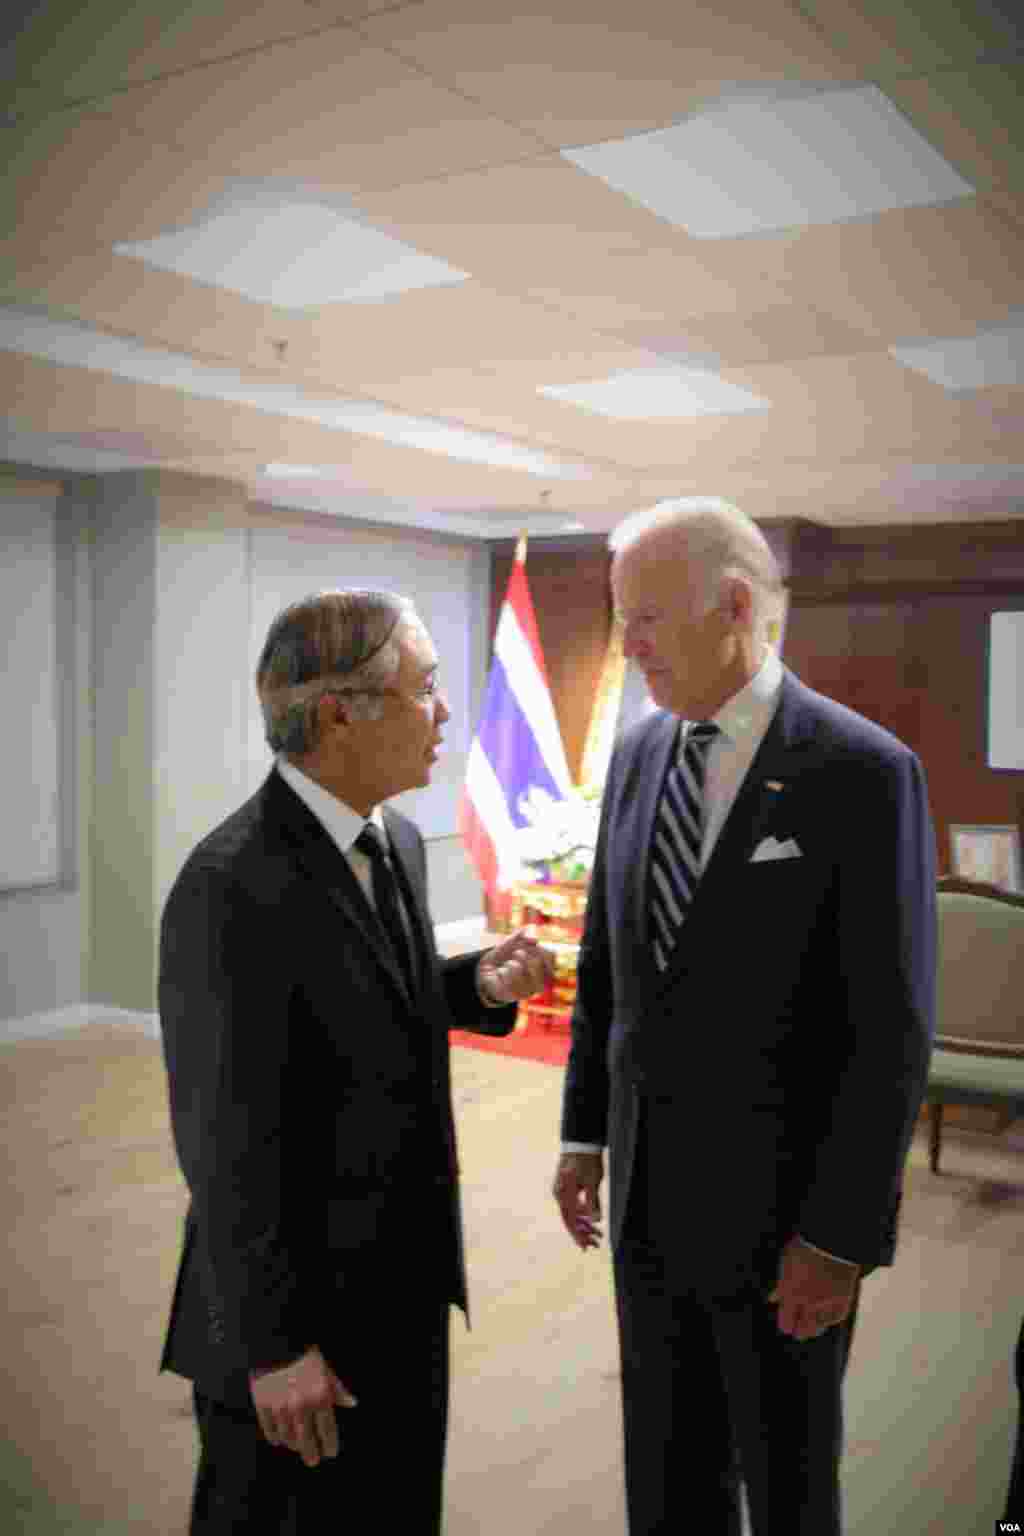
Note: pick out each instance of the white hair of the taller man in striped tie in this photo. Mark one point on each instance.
(721, 541)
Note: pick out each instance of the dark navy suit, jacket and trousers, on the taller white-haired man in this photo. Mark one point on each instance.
(765, 1085)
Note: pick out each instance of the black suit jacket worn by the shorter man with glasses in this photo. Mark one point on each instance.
(309, 1093)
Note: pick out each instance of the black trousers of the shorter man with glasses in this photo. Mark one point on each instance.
(391, 1466)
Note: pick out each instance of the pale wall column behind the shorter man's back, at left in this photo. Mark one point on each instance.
(171, 663)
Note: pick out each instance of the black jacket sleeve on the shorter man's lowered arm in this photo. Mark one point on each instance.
(225, 1018)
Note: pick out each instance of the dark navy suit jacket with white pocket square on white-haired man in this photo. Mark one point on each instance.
(784, 1053)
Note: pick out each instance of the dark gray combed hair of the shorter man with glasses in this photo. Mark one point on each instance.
(328, 643)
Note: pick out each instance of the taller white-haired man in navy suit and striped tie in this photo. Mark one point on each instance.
(751, 1036)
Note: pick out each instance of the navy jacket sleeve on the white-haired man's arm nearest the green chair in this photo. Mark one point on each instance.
(887, 939)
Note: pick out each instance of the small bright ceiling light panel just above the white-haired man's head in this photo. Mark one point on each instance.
(658, 396)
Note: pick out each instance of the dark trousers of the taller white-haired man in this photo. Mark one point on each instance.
(716, 1397)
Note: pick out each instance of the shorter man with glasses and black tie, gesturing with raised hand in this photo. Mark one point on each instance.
(305, 1016)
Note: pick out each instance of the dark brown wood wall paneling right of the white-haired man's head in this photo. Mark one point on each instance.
(899, 629)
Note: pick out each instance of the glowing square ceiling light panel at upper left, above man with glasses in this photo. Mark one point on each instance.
(292, 247)
